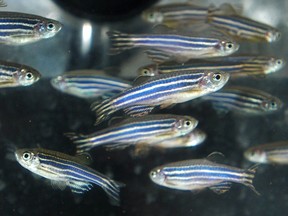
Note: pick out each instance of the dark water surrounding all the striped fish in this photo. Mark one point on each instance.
(39, 115)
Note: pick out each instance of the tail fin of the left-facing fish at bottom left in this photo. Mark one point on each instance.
(113, 191)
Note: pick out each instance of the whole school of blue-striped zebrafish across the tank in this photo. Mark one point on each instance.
(190, 48)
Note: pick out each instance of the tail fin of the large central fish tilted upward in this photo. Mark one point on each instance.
(103, 110)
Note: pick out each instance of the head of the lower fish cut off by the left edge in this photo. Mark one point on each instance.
(27, 76)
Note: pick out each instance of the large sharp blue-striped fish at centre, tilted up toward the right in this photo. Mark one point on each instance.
(161, 91)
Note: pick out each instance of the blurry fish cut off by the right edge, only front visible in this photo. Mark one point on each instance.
(272, 153)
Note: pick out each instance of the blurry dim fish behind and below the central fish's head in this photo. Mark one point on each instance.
(244, 100)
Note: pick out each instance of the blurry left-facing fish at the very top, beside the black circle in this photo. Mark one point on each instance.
(171, 14)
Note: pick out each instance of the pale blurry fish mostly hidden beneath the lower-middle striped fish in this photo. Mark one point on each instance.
(194, 138)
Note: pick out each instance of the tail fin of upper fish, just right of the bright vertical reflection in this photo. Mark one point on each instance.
(119, 42)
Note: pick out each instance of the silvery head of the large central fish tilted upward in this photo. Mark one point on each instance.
(214, 80)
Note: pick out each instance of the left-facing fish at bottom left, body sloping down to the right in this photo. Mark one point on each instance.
(66, 170)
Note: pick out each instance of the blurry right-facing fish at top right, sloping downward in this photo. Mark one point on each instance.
(244, 28)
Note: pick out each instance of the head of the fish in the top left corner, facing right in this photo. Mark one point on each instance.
(48, 28)
